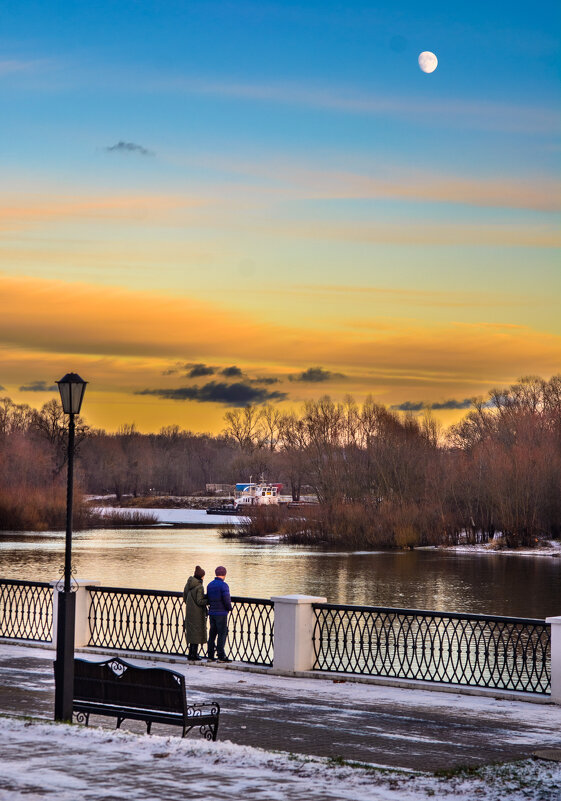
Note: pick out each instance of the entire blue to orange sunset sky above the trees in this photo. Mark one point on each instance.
(209, 204)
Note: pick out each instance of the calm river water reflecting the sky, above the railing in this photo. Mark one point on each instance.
(163, 559)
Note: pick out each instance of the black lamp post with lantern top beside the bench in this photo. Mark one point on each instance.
(71, 389)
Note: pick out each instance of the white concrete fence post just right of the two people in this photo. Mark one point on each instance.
(293, 631)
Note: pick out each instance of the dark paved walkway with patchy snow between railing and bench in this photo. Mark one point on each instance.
(411, 729)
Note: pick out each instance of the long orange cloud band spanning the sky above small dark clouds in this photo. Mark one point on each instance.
(88, 321)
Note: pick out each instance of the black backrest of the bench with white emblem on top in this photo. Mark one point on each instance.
(117, 682)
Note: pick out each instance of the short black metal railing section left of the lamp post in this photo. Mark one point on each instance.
(26, 610)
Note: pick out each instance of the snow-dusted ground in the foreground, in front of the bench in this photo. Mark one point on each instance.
(43, 760)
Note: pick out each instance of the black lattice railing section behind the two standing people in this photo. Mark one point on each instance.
(152, 621)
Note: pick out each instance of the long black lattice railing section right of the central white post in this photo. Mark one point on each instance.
(476, 650)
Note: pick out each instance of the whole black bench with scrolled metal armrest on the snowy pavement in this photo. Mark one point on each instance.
(153, 695)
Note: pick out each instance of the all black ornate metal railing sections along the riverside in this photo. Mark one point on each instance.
(475, 650)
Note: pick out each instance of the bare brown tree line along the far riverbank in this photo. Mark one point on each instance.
(382, 478)
